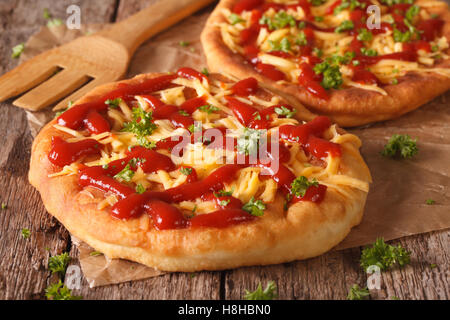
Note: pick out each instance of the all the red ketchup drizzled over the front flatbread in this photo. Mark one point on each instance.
(159, 204)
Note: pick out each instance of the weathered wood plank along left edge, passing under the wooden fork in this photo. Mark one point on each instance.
(23, 267)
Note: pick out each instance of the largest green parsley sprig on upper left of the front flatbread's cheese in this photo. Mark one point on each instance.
(141, 126)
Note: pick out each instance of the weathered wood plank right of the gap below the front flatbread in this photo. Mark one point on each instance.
(331, 275)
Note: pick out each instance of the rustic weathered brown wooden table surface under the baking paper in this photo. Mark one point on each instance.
(23, 264)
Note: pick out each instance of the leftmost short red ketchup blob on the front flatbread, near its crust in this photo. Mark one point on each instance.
(64, 153)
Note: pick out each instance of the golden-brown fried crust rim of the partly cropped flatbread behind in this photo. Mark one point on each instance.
(347, 107)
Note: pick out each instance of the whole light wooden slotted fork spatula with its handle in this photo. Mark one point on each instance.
(91, 60)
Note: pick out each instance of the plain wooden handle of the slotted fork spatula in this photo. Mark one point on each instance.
(136, 29)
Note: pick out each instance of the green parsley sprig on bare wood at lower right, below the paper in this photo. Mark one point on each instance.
(384, 255)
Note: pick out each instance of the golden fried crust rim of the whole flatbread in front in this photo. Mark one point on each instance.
(306, 230)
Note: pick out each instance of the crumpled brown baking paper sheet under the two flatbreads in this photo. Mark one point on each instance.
(396, 205)
